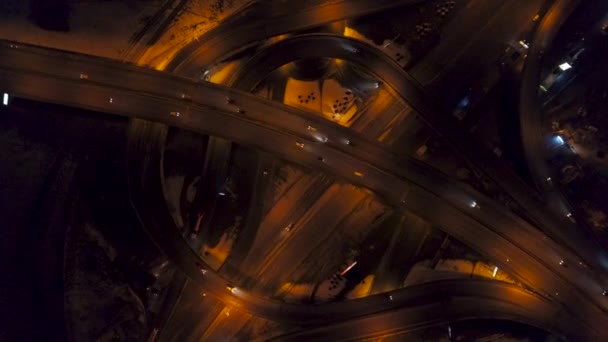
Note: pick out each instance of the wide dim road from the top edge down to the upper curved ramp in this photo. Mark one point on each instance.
(471, 44)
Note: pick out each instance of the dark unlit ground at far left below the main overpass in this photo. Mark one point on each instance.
(58, 167)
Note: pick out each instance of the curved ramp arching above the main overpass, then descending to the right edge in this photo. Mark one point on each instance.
(325, 45)
